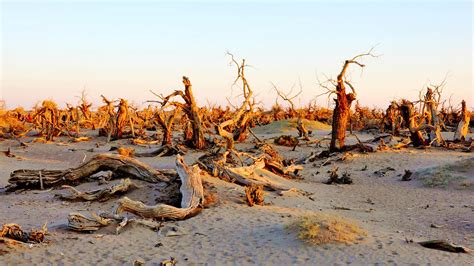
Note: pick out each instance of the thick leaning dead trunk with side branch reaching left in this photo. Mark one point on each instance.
(191, 111)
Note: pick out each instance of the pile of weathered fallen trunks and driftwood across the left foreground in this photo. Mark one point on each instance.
(258, 169)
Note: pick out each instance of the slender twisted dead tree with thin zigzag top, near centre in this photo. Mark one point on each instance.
(240, 118)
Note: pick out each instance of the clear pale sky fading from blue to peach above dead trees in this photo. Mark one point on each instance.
(54, 50)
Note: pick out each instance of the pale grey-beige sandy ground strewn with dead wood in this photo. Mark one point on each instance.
(233, 233)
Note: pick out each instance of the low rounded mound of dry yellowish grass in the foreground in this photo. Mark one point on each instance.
(325, 228)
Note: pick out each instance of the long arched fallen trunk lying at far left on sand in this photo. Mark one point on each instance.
(119, 165)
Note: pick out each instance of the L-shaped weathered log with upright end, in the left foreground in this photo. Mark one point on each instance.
(192, 197)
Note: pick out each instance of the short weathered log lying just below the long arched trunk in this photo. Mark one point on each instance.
(100, 194)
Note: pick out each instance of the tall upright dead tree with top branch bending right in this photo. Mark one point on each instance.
(343, 101)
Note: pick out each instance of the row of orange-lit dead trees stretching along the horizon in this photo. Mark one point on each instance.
(116, 119)
